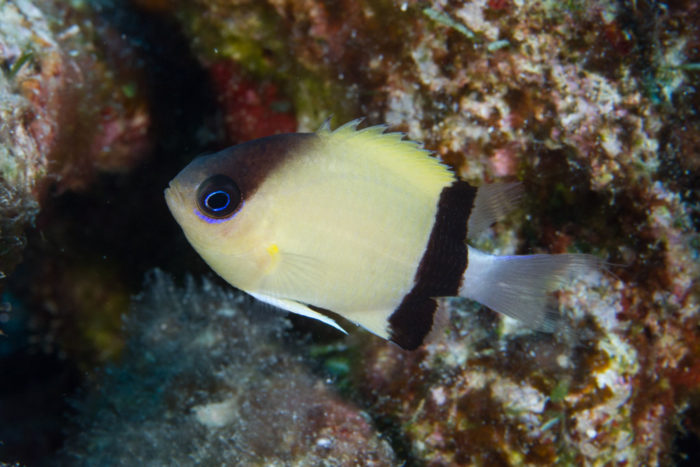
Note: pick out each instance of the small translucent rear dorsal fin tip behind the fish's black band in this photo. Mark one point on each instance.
(492, 203)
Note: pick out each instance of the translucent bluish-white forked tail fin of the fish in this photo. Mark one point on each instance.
(517, 286)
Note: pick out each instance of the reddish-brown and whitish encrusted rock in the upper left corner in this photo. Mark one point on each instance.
(67, 111)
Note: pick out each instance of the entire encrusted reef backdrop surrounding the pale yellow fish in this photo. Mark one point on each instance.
(593, 105)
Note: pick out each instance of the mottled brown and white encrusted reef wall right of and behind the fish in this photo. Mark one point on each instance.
(583, 102)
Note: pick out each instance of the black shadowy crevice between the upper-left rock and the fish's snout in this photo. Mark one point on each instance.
(120, 223)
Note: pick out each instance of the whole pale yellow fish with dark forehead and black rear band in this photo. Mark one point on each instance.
(360, 223)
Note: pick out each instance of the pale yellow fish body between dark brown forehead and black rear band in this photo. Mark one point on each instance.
(342, 226)
